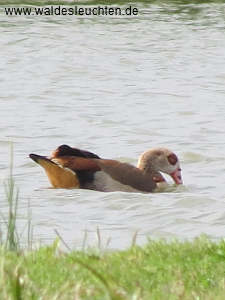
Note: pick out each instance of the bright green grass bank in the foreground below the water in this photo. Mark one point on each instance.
(159, 270)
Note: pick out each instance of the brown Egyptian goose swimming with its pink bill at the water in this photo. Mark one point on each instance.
(74, 168)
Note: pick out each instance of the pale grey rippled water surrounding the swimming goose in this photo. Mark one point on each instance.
(117, 86)
